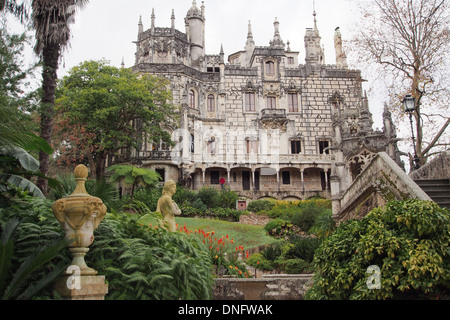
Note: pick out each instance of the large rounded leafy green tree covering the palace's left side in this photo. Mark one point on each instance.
(103, 110)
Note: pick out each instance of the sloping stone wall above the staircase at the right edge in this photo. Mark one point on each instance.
(437, 168)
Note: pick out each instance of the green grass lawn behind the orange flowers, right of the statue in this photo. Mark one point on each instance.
(248, 236)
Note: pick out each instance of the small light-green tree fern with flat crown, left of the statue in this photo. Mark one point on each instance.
(134, 176)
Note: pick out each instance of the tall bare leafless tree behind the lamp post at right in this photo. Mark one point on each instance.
(410, 40)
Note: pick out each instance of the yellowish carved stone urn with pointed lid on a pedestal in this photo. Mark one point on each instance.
(79, 215)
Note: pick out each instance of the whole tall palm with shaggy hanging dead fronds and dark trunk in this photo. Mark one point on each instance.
(51, 20)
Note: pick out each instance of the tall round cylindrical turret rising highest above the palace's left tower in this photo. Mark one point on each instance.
(195, 30)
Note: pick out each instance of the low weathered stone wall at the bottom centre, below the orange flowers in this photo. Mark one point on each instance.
(279, 287)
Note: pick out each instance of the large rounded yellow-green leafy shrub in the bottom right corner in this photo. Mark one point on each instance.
(407, 240)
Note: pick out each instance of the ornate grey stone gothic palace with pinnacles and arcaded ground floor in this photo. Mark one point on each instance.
(265, 123)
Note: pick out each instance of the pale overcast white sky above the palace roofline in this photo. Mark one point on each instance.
(107, 28)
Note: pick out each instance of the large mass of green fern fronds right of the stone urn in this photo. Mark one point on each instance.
(143, 262)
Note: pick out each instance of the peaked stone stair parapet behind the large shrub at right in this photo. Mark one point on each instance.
(381, 181)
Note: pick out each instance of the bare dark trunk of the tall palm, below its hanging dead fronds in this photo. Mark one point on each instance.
(50, 54)
